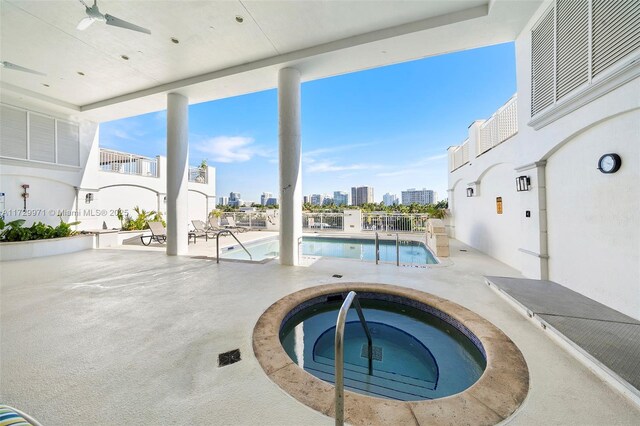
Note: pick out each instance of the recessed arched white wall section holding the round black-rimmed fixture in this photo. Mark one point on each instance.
(594, 218)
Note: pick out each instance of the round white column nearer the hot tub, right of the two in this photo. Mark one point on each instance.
(290, 165)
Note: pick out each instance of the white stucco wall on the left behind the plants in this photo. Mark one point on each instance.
(56, 189)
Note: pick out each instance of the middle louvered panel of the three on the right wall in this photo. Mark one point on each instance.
(572, 45)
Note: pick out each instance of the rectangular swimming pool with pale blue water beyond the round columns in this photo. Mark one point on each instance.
(413, 252)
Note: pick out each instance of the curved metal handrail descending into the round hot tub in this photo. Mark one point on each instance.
(352, 297)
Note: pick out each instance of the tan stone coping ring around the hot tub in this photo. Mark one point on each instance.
(496, 395)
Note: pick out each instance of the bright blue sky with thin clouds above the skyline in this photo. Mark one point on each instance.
(388, 127)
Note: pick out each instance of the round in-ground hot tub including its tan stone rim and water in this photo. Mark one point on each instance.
(435, 362)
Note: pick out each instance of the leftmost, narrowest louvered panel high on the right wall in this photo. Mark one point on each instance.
(542, 64)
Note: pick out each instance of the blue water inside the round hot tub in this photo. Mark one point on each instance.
(417, 356)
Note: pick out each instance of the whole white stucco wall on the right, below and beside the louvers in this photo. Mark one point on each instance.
(584, 227)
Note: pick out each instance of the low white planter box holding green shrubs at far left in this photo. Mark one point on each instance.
(50, 247)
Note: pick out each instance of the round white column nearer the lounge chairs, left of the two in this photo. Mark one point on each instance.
(177, 170)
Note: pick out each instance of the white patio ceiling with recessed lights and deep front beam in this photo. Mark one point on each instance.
(218, 57)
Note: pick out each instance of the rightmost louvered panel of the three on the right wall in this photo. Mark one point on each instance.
(616, 31)
